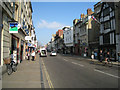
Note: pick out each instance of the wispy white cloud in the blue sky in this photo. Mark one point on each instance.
(50, 25)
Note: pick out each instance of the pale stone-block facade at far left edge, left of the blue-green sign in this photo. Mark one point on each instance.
(5, 35)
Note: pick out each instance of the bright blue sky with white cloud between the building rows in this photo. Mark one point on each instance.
(48, 17)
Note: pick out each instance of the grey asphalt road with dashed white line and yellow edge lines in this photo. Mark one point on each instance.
(63, 71)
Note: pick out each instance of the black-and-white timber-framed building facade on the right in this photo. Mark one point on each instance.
(108, 29)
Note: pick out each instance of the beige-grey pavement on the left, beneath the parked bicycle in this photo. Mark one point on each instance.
(26, 76)
